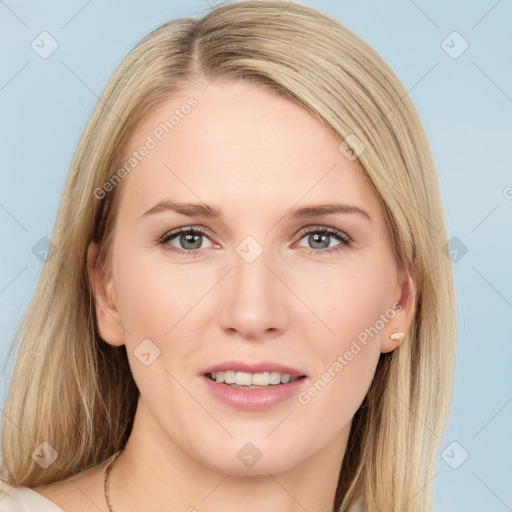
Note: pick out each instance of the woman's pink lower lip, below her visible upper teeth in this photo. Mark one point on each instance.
(254, 399)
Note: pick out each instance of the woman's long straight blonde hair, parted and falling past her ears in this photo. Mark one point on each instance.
(76, 392)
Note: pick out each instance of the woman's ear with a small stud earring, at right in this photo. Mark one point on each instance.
(404, 306)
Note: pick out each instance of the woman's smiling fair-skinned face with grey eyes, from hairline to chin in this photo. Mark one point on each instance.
(254, 285)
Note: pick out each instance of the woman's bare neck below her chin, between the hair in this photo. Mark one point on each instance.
(154, 472)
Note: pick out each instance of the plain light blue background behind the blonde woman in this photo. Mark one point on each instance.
(466, 107)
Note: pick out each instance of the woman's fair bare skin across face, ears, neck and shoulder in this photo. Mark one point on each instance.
(256, 156)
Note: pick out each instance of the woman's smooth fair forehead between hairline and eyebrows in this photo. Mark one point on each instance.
(239, 144)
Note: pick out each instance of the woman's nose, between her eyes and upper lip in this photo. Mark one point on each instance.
(254, 300)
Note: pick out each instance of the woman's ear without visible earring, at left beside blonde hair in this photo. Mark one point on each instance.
(107, 317)
